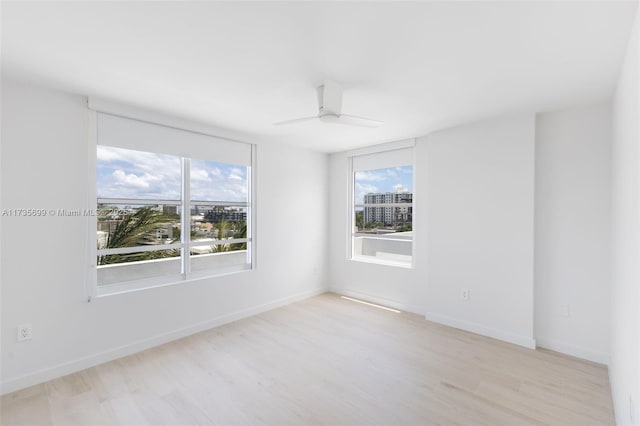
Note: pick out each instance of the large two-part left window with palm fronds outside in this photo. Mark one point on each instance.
(171, 205)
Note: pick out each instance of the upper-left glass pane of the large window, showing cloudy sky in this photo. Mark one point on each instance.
(129, 174)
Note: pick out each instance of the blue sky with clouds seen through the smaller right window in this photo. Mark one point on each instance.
(382, 180)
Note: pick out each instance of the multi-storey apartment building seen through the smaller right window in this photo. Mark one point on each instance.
(392, 215)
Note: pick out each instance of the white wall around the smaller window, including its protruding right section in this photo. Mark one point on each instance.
(473, 228)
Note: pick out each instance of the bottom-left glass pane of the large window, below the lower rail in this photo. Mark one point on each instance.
(119, 268)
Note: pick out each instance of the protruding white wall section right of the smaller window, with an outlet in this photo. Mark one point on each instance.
(480, 192)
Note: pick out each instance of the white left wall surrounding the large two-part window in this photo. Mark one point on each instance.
(44, 165)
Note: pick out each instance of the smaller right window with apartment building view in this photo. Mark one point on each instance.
(382, 207)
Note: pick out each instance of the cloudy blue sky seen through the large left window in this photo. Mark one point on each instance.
(124, 173)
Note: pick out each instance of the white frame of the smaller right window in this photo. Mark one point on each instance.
(352, 205)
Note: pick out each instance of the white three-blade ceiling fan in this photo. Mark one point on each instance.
(330, 109)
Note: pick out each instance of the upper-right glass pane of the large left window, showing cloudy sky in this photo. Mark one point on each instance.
(213, 181)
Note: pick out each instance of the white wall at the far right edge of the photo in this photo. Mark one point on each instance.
(624, 370)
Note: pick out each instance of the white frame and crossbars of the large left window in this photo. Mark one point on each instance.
(185, 274)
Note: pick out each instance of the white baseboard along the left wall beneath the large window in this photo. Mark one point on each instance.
(39, 376)
